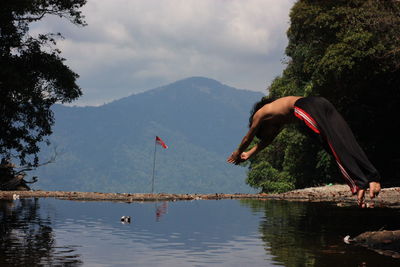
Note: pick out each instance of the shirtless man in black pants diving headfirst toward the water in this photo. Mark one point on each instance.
(269, 116)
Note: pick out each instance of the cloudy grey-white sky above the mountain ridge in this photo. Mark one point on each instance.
(130, 46)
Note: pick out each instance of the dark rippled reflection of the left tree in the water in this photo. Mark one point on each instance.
(27, 239)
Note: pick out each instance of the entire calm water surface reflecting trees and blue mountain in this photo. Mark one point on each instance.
(51, 232)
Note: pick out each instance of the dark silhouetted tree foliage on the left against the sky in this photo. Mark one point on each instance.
(33, 75)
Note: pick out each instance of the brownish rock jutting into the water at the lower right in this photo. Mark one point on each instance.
(383, 242)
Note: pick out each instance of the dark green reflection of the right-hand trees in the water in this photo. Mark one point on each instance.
(311, 234)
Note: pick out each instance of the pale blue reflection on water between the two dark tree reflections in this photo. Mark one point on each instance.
(198, 233)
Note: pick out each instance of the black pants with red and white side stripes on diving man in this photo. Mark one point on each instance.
(322, 117)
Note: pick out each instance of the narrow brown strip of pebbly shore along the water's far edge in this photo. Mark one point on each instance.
(339, 194)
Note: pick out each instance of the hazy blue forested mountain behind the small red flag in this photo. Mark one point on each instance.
(110, 148)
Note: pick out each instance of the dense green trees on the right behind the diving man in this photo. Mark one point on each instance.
(349, 52)
